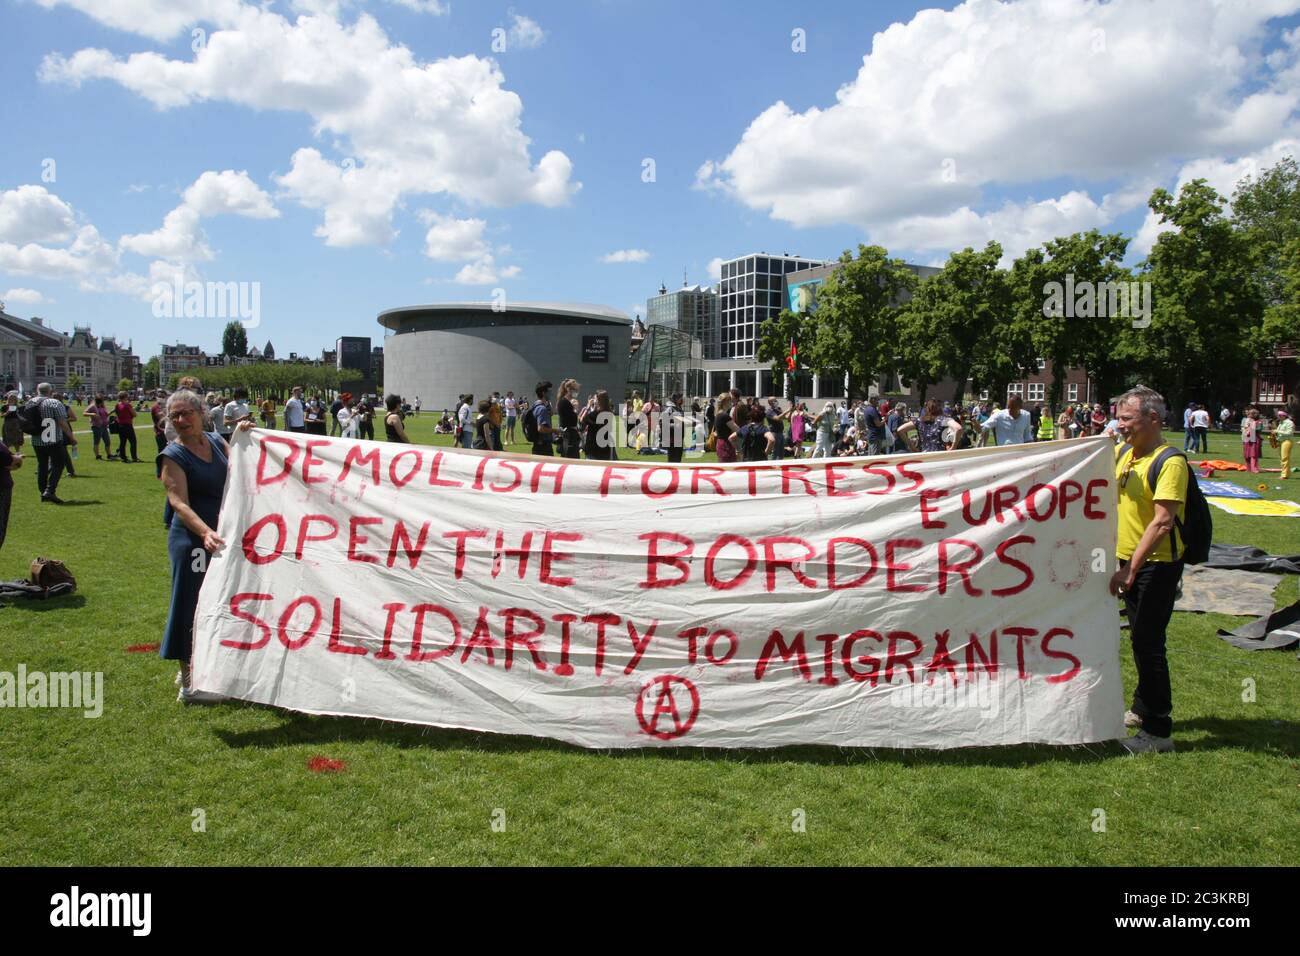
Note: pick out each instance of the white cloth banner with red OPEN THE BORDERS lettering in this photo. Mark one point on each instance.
(931, 600)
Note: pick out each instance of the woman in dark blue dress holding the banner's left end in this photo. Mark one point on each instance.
(193, 469)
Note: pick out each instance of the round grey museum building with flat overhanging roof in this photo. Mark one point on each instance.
(443, 352)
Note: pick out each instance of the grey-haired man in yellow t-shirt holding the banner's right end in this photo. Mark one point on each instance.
(1151, 560)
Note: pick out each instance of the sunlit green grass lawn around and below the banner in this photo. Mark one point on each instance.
(125, 789)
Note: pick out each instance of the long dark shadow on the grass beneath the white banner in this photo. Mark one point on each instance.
(306, 729)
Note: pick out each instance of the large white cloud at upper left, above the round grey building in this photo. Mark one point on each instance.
(404, 127)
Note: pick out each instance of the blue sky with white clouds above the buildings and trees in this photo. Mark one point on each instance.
(333, 153)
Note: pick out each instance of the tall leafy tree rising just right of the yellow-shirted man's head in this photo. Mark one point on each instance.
(1207, 296)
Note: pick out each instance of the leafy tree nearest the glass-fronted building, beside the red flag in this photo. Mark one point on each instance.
(853, 328)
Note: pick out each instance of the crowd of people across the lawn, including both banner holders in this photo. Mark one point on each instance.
(193, 429)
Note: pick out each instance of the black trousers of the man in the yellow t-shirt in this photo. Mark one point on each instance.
(1149, 605)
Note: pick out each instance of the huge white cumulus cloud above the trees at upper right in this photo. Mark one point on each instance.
(955, 105)
